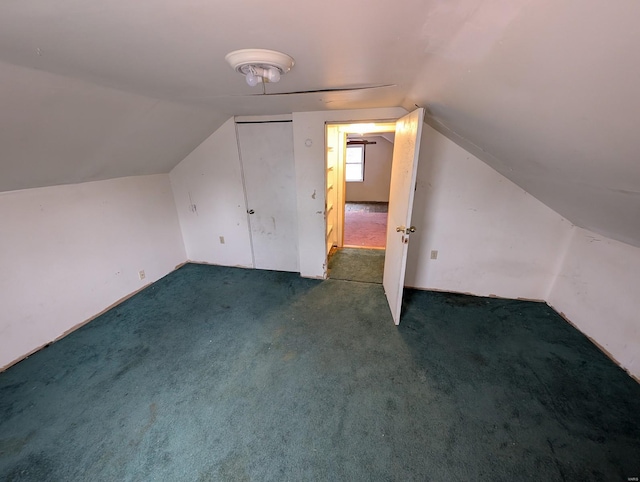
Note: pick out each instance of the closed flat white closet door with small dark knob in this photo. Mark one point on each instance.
(266, 152)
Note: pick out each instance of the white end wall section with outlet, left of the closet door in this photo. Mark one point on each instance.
(210, 178)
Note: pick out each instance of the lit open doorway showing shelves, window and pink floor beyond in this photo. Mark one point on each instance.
(359, 159)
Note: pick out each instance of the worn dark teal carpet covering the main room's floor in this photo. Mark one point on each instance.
(229, 374)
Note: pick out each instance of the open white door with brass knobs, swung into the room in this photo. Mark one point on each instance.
(403, 181)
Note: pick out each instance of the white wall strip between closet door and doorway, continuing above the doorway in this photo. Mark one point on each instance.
(309, 153)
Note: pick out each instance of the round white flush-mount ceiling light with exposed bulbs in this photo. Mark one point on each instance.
(260, 65)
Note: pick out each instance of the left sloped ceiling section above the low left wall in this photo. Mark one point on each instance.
(59, 130)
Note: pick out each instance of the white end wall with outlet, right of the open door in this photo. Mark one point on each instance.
(492, 237)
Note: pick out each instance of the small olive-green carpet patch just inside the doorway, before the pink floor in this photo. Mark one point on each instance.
(357, 264)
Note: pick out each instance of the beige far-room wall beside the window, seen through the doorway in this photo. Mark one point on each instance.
(377, 173)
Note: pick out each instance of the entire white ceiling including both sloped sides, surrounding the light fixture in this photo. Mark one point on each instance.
(542, 90)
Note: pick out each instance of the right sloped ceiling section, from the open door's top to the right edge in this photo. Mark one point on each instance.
(548, 96)
